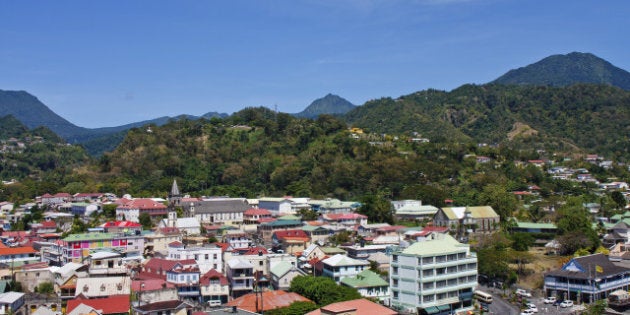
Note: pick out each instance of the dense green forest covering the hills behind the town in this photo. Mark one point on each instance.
(258, 152)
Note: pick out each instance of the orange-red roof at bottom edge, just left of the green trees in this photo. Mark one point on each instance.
(272, 300)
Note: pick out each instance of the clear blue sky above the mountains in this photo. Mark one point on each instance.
(108, 63)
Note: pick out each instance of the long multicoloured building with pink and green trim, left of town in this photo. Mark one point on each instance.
(76, 247)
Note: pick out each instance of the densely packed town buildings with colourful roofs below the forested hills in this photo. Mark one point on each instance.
(231, 254)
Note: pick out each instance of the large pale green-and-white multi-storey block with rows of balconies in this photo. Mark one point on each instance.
(436, 275)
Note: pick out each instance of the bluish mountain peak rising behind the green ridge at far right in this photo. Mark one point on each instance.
(564, 70)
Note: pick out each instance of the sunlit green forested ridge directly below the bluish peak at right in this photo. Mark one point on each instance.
(583, 117)
